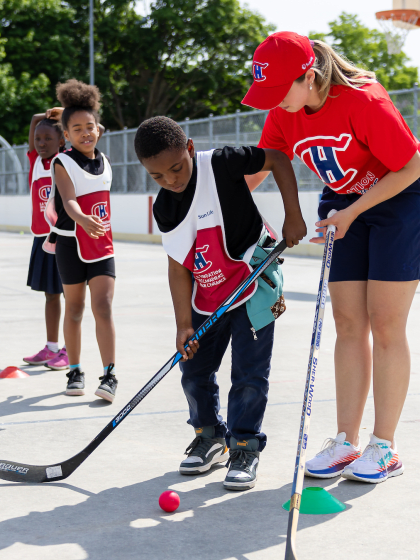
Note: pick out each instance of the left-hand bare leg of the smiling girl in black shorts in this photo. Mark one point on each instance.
(75, 295)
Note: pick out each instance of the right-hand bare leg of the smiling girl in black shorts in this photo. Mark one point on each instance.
(102, 293)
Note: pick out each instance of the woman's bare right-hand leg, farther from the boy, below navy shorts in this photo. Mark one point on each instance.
(388, 306)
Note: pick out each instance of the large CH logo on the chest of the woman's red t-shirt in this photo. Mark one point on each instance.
(322, 155)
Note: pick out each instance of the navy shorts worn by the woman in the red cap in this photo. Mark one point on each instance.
(383, 243)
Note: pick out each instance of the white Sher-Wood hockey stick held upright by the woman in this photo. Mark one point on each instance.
(308, 395)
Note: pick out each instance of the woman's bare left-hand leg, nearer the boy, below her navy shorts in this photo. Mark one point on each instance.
(353, 357)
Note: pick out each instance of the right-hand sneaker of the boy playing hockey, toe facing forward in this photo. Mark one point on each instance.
(242, 464)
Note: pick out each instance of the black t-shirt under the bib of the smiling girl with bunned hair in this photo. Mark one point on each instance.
(94, 167)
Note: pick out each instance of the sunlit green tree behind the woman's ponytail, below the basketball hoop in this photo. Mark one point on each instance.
(367, 48)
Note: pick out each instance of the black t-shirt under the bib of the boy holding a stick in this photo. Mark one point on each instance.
(241, 218)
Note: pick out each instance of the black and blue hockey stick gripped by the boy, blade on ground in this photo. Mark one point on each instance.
(19, 472)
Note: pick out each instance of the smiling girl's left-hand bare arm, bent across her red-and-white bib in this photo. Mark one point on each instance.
(91, 224)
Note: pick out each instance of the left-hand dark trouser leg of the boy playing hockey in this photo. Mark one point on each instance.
(199, 375)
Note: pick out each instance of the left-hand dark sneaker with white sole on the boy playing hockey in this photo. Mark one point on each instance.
(204, 452)
